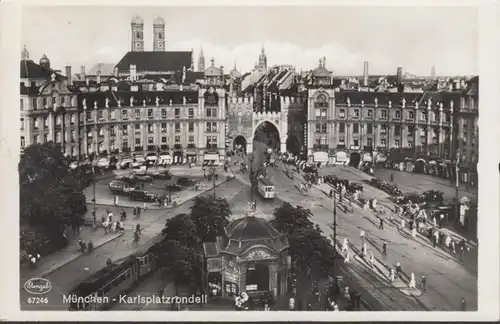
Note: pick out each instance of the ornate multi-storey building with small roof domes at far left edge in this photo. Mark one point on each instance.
(48, 106)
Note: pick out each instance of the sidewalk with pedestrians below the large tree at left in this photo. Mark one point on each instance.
(66, 255)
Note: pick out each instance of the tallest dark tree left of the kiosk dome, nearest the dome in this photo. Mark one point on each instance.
(210, 216)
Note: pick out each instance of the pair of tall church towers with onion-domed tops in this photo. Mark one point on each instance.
(137, 25)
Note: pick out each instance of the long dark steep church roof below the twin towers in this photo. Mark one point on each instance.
(155, 61)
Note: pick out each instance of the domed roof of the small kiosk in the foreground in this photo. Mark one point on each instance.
(250, 228)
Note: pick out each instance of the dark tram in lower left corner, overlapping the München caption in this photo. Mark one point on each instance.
(101, 290)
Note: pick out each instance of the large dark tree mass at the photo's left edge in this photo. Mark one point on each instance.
(50, 195)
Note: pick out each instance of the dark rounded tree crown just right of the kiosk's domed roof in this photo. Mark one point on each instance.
(288, 219)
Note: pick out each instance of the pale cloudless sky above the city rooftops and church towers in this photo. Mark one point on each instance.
(415, 38)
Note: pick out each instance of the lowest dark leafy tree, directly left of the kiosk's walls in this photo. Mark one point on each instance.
(182, 263)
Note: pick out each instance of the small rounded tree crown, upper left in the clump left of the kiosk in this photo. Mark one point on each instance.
(182, 229)
